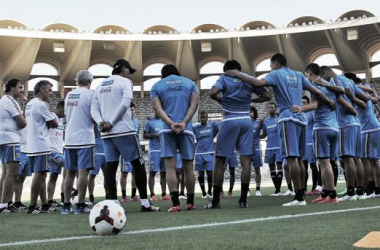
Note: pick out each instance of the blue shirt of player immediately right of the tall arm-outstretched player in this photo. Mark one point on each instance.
(324, 116)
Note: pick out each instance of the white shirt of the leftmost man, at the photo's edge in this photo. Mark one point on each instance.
(9, 129)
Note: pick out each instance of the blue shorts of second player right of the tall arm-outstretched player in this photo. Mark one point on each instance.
(350, 141)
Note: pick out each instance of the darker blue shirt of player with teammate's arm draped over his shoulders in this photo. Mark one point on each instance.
(236, 99)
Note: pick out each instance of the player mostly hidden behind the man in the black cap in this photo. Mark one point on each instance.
(126, 167)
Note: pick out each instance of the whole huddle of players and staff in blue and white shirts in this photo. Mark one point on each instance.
(99, 131)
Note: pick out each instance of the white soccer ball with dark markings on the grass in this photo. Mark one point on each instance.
(107, 218)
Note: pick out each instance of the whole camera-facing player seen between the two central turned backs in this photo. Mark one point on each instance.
(204, 152)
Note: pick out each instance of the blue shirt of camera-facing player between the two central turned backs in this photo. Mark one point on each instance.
(205, 137)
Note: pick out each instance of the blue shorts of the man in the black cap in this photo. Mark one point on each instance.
(127, 147)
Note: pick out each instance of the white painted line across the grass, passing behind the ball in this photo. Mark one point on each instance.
(158, 230)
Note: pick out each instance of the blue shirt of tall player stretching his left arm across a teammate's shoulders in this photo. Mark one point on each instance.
(287, 86)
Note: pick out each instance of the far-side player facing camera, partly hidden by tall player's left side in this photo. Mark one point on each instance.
(272, 151)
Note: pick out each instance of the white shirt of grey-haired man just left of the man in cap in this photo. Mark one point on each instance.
(79, 131)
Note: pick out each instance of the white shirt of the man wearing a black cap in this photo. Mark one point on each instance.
(109, 96)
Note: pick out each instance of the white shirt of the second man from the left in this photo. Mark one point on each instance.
(37, 113)
